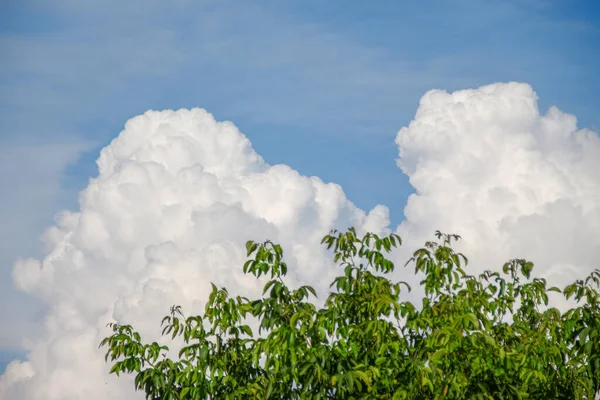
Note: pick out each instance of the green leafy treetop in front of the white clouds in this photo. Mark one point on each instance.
(491, 336)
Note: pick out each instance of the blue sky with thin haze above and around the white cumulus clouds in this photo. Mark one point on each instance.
(320, 86)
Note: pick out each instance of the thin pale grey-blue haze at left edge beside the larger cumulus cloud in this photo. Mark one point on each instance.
(32, 192)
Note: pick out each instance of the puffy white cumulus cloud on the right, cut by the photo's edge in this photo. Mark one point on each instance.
(514, 183)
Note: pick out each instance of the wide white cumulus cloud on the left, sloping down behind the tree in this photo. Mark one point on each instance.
(177, 196)
